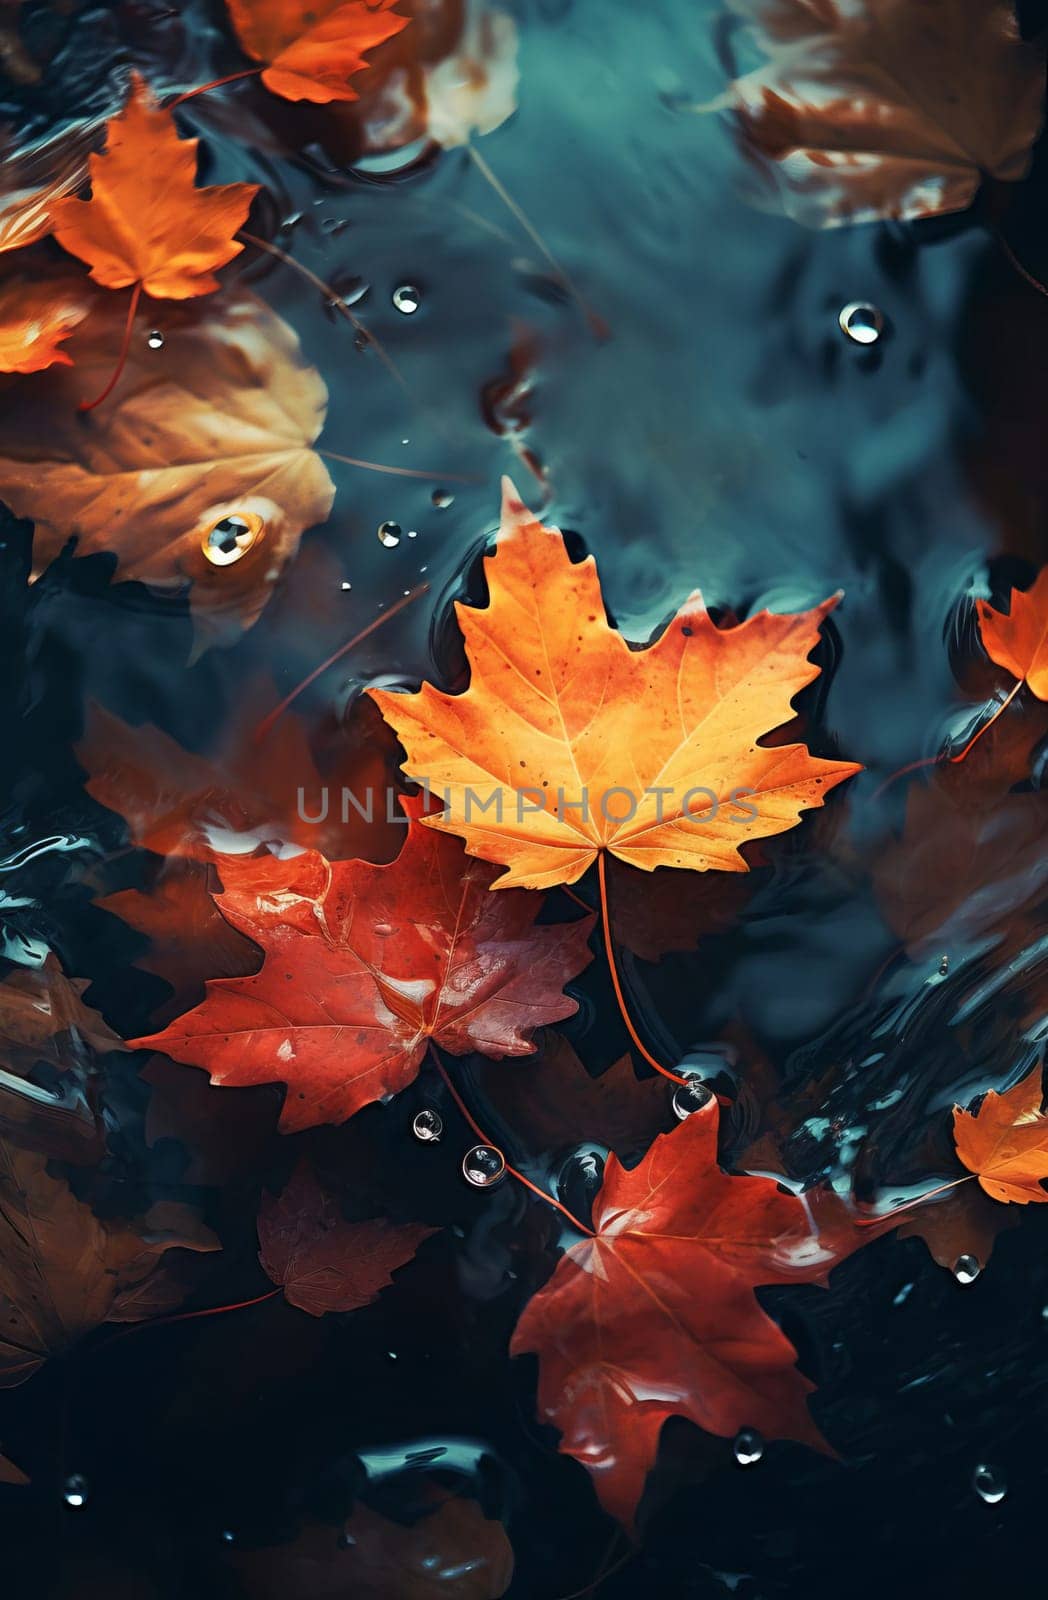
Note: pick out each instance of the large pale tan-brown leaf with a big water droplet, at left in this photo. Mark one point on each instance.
(220, 428)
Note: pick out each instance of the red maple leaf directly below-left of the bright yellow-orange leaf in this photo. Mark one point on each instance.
(364, 967)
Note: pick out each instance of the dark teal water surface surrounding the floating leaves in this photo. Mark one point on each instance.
(726, 436)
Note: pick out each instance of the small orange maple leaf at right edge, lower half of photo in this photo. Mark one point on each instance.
(1006, 1143)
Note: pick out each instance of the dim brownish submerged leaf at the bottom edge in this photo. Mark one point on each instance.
(452, 1551)
